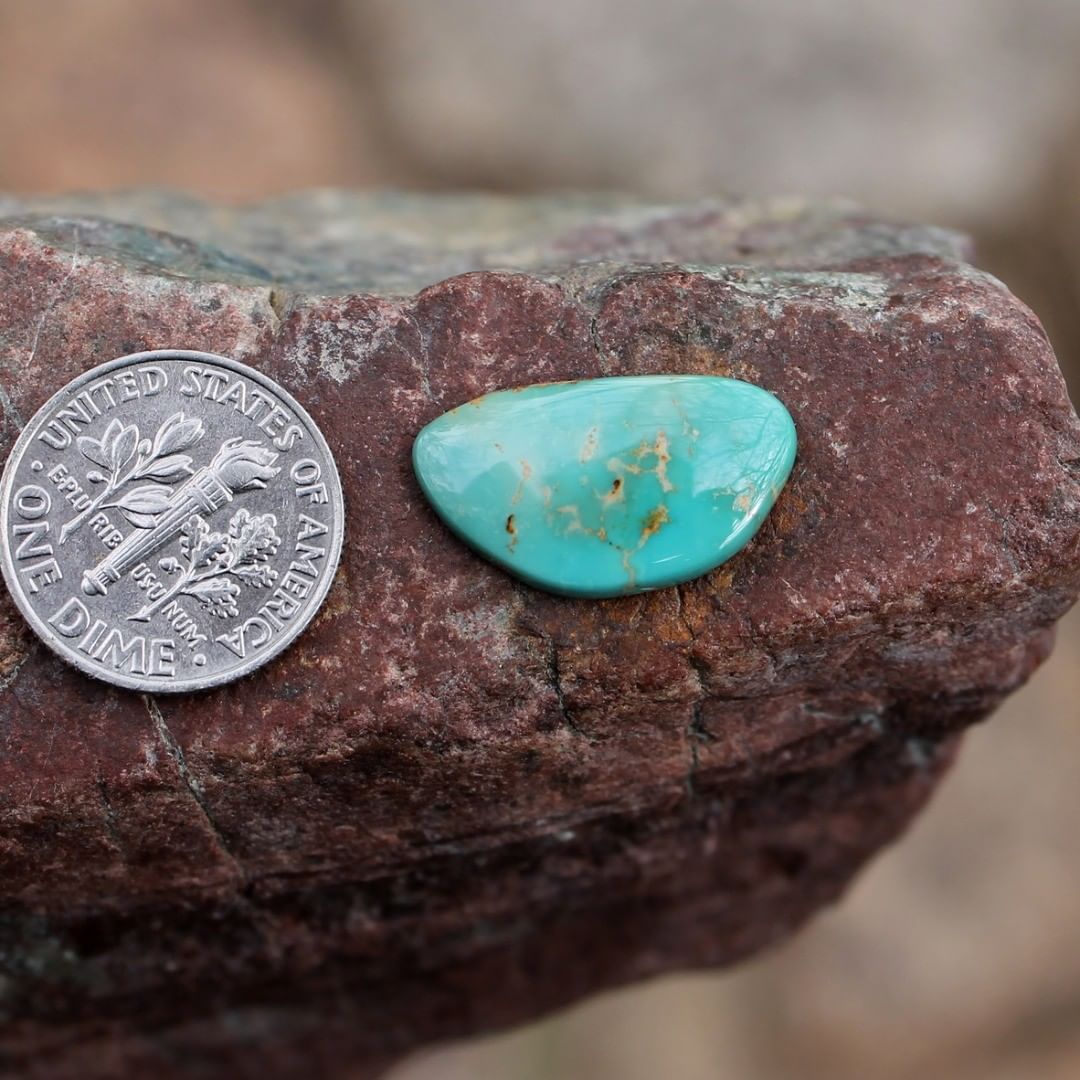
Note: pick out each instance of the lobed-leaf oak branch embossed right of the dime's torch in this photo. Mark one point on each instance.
(212, 559)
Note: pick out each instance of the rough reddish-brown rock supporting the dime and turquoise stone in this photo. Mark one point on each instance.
(455, 802)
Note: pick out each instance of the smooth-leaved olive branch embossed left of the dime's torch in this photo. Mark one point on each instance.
(125, 457)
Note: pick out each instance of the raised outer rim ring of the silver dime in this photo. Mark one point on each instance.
(130, 683)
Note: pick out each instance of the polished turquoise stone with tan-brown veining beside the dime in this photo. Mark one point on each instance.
(605, 488)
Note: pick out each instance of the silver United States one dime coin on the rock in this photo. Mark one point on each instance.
(171, 521)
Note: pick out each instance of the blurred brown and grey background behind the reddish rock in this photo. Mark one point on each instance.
(958, 954)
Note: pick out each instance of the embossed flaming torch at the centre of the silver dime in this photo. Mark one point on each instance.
(241, 465)
